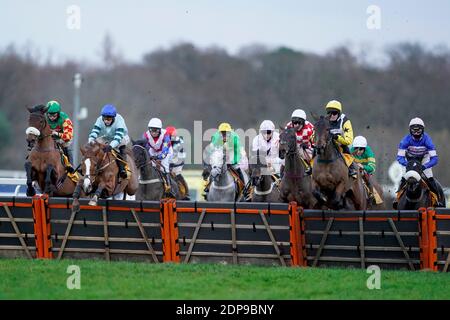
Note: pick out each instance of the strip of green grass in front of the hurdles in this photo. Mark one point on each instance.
(44, 279)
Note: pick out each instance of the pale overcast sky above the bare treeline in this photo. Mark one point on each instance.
(141, 26)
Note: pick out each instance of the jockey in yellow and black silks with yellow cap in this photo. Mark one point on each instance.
(342, 131)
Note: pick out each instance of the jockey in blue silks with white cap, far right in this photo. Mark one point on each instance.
(417, 144)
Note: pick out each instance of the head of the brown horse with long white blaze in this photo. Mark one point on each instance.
(93, 156)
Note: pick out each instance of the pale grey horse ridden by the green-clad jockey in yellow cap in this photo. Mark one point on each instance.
(223, 186)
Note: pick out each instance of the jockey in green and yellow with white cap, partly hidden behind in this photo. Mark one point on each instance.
(365, 159)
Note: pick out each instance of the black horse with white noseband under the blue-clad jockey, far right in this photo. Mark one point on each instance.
(416, 193)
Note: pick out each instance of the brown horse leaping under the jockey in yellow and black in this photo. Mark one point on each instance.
(331, 183)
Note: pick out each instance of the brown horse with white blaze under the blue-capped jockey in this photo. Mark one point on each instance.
(100, 174)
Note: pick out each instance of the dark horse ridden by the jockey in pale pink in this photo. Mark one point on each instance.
(264, 188)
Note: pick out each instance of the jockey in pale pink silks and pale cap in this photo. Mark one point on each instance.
(267, 142)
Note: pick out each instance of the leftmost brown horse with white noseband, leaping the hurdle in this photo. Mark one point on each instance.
(44, 163)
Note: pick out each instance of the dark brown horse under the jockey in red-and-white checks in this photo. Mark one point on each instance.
(295, 184)
